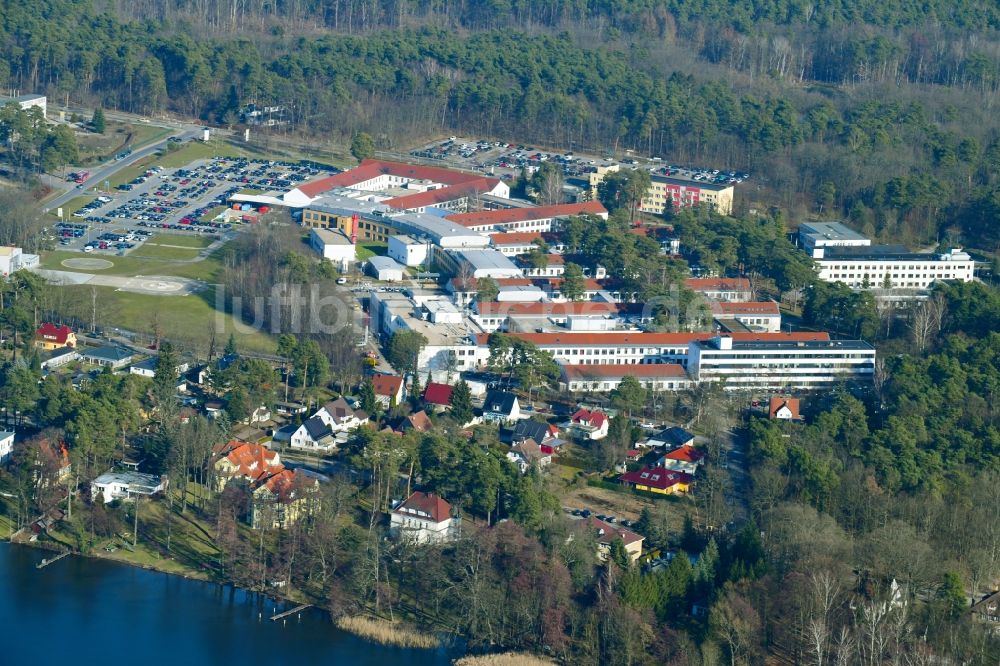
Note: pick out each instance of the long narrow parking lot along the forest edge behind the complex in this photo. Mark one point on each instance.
(508, 160)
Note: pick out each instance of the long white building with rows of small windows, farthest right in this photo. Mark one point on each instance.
(890, 266)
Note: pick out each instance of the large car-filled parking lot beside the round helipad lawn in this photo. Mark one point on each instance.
(184, 201)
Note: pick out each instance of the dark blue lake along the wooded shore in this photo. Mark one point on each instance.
(88, 611)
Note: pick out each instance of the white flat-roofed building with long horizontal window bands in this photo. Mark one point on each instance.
(780, 365)
